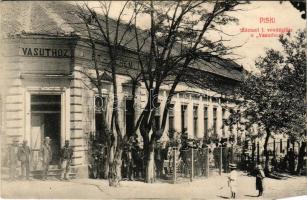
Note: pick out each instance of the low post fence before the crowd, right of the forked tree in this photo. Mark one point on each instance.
(191, 163)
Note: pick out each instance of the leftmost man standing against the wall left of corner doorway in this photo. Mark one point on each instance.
(13, 161)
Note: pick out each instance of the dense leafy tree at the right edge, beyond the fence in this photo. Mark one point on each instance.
(274, 98)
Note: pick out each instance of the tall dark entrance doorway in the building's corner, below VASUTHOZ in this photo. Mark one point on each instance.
(45, 122)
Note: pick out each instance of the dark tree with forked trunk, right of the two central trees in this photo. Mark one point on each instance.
(179, 36)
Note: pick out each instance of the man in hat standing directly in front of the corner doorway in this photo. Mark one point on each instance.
(46, 154)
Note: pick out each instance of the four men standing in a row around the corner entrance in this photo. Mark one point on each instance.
(23, 154)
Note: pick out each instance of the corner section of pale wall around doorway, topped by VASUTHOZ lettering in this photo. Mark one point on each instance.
(36, 65)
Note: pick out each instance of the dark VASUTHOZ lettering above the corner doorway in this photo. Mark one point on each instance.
(45, 52)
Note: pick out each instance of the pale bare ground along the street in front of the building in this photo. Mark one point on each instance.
(211, 188)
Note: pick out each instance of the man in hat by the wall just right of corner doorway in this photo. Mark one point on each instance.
(66, 157)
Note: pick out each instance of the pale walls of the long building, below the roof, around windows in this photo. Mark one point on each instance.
(39, 72)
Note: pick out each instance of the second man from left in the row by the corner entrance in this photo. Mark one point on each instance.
(24, 158)
